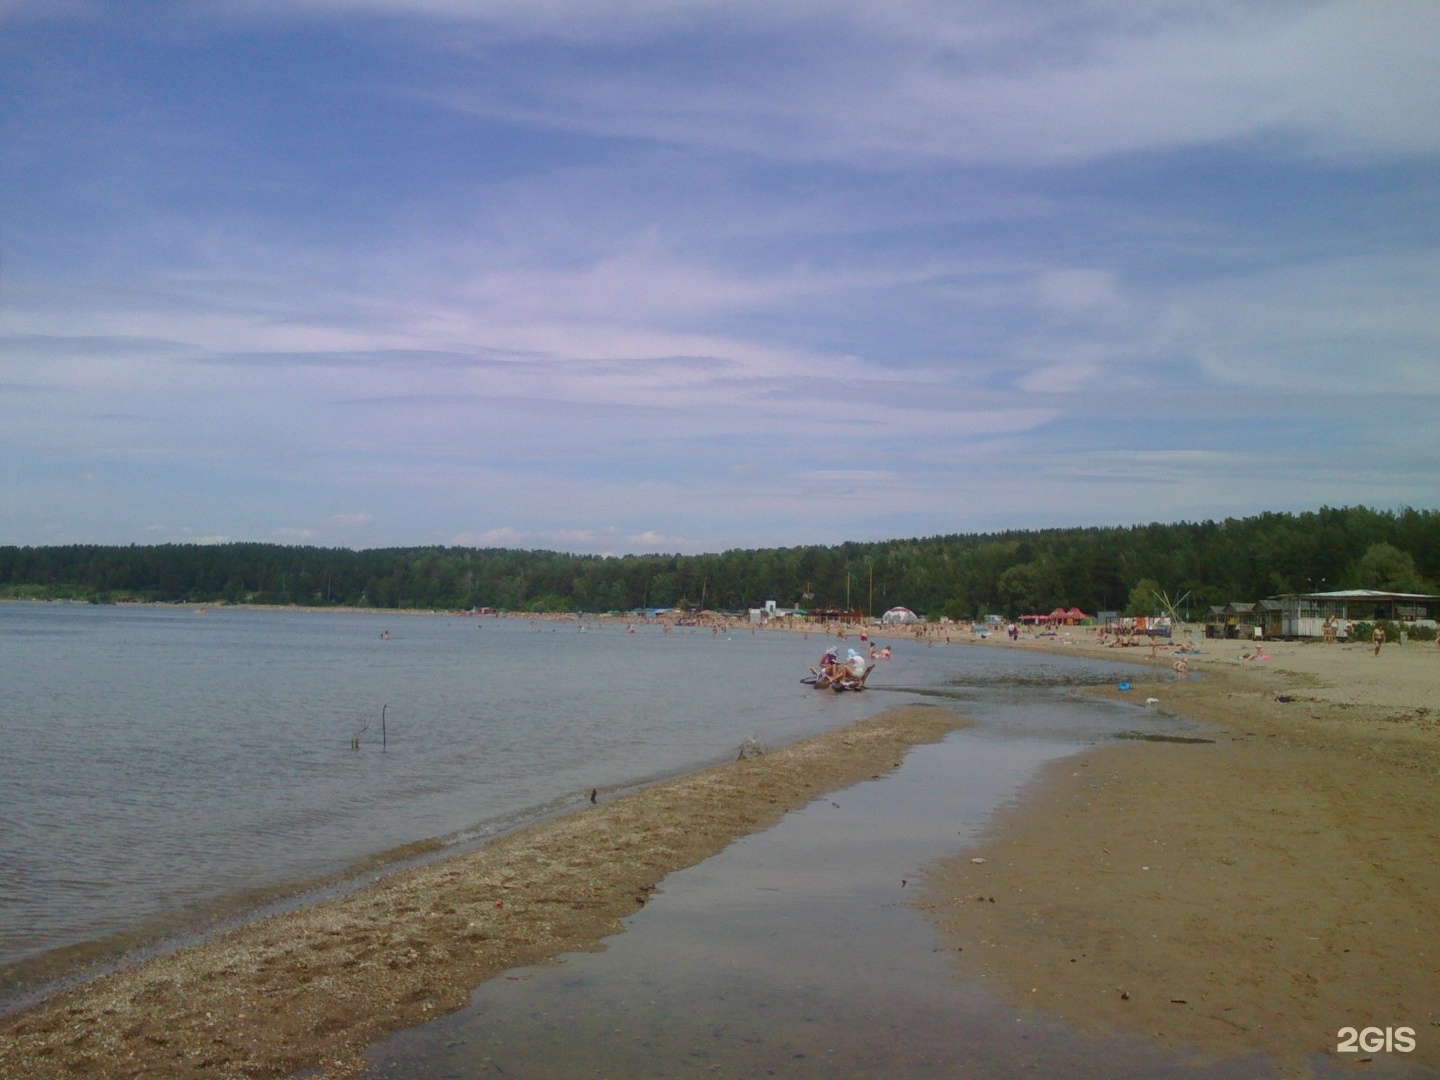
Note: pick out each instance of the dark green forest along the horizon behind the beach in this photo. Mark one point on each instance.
(961, 577)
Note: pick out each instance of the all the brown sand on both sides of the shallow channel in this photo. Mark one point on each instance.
(1254, 891)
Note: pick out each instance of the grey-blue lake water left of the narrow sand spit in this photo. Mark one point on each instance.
(163, 770)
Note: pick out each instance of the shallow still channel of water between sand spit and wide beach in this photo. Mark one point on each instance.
(794, 953)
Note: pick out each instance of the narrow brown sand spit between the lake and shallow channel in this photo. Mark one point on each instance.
(309, 991)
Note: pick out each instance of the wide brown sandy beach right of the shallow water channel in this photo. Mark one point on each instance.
(1256, 894)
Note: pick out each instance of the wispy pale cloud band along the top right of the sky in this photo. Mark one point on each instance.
(894, 84)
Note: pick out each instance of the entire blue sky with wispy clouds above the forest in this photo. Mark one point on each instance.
(660, 276)
